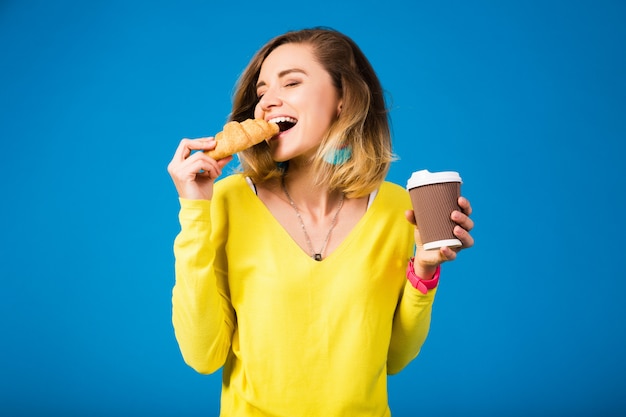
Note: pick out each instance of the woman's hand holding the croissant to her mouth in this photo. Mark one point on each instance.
(194, 173)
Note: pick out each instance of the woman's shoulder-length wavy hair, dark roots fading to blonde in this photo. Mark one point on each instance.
(362, 125)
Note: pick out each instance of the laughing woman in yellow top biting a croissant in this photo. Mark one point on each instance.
(292, 275)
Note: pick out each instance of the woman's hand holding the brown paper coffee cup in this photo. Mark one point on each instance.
(426, 261)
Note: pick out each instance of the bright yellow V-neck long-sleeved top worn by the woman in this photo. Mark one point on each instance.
(296, 337)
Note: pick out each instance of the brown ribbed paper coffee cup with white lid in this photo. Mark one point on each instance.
(435, 196)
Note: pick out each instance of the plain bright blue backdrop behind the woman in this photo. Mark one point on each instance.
(526, 99)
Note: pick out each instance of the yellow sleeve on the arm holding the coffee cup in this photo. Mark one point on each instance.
(410, 327)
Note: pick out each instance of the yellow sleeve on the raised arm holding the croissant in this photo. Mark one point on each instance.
(202, 318)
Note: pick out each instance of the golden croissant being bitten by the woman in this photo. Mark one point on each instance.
(237, 137)
